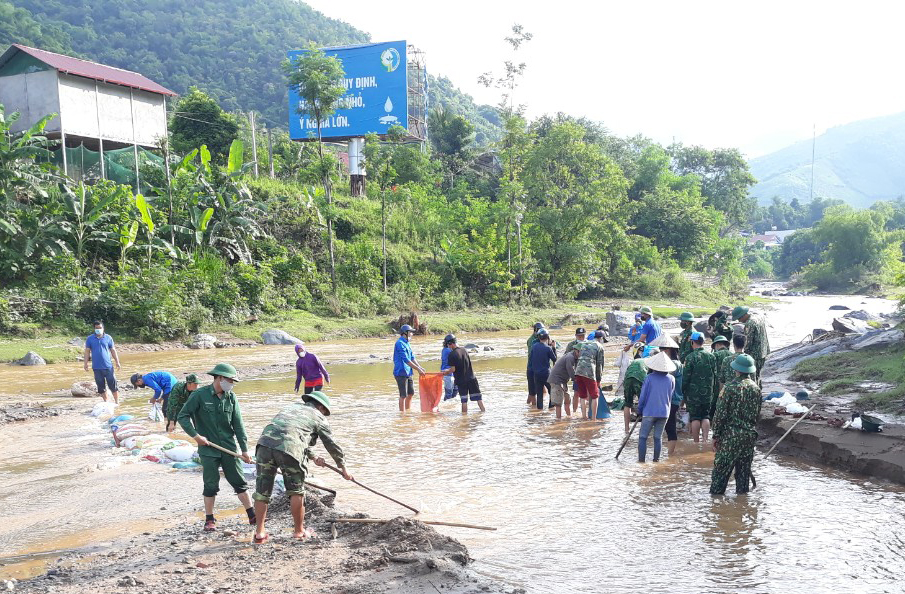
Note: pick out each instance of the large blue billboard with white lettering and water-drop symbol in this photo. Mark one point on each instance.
(376, 96)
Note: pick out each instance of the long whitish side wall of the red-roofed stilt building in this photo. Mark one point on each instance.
(108, 112)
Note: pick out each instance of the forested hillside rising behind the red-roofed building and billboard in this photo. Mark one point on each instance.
(230, 49)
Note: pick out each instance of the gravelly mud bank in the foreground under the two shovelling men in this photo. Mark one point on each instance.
(402, 555)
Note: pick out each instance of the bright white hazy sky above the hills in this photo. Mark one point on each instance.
(752, 75)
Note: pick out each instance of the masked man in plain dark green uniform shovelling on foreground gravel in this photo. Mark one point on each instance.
(211, 416)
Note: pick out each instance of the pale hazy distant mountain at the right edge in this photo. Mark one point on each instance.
(860, 163)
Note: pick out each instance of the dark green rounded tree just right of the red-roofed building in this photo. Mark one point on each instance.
(198, 120)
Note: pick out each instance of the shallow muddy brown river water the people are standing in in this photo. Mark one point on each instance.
(571, 518)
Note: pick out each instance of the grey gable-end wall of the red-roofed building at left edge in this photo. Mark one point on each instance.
(33, 95)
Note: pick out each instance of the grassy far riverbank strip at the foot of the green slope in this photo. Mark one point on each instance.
(57, 347)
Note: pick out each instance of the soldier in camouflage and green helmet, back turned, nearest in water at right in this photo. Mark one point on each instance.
(734, 428)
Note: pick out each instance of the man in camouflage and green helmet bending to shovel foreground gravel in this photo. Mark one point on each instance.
(286, 444)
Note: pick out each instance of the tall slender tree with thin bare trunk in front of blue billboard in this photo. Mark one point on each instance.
(318, 80)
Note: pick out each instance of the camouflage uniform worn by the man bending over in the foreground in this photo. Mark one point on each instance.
(286, 444)
